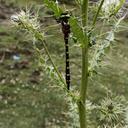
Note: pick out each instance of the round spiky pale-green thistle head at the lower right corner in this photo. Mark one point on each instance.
(112, 112)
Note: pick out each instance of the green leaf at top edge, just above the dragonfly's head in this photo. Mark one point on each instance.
(54, 7)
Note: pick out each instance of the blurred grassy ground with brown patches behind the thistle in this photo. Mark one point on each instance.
(29, 99)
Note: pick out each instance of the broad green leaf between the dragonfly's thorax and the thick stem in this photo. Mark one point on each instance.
(77, 30)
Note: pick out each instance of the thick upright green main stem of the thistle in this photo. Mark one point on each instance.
(84, 82)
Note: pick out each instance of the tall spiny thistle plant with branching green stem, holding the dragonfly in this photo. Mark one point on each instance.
(84, 31)
